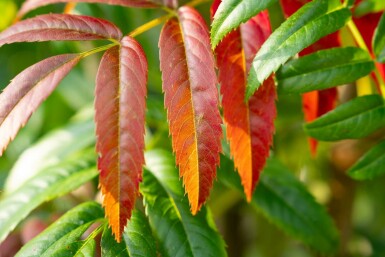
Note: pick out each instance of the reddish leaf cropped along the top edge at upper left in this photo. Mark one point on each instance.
(30, 5)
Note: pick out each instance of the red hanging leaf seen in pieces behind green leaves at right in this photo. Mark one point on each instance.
(315, 103)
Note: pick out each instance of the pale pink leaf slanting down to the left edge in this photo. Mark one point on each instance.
(28, 90)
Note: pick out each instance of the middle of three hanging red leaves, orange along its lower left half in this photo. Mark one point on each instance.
(191, 99)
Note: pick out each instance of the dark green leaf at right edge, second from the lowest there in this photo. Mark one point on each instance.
(355, 119)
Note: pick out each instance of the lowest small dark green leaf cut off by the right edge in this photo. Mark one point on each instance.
(371, 165)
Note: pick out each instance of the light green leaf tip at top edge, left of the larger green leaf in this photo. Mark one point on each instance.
(232, 13)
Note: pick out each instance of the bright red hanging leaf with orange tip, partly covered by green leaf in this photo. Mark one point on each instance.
(249, 126)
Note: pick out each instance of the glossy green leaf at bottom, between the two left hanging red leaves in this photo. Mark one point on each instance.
(179, 232)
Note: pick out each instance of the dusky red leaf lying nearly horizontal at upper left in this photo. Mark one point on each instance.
(60, 27)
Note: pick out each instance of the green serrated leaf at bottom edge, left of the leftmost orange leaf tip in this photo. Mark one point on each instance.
(66, 230)
